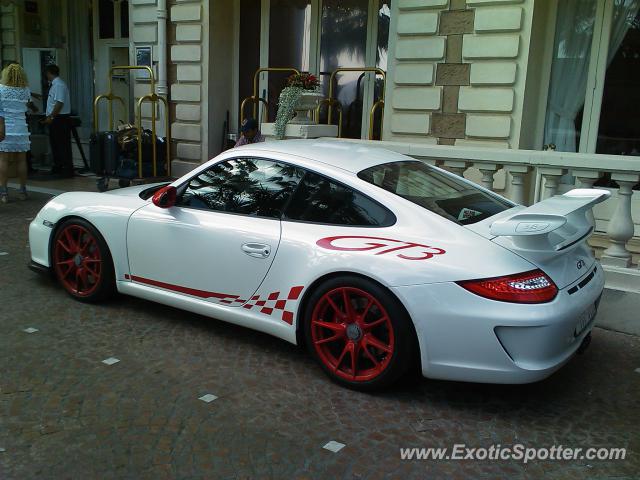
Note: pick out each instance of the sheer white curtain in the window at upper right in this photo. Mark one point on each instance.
(574, 35)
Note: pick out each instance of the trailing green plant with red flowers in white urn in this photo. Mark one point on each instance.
(299, 97)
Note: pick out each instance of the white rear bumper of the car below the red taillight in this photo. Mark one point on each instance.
(466, 337)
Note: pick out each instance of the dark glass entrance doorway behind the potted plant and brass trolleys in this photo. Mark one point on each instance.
(316, 36)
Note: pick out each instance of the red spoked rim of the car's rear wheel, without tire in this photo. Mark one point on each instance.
(352, 334)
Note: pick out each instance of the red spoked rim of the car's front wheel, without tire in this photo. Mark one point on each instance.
(77, 260)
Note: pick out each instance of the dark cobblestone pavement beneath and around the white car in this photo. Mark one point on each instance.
(65, 414)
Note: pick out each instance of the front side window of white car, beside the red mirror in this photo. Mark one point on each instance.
(246, 186)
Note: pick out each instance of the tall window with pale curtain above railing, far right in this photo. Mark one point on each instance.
(619, 126)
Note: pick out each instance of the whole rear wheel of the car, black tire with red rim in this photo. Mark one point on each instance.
(398, 333)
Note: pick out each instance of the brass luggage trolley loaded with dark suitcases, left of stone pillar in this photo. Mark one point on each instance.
(108, 159)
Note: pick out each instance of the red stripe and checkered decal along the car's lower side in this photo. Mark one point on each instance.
(270, 306)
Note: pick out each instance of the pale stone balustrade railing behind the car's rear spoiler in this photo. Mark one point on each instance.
(527, 176)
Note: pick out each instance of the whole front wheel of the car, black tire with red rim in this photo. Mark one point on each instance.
(81, 257)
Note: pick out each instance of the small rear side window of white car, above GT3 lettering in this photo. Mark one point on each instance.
(320, 200)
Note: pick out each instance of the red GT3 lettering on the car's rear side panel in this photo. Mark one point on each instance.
(381, 245)
